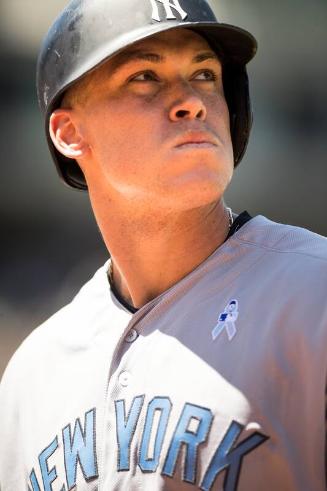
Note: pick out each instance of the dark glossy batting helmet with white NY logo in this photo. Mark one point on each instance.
(89, 32)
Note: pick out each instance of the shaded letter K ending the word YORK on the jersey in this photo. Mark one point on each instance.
(230, 459)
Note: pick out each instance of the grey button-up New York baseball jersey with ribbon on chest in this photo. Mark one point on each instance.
(217, 384)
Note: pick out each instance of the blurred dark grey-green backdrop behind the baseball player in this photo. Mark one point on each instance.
(50, 244)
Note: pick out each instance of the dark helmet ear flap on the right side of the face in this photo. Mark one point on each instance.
(236, 88)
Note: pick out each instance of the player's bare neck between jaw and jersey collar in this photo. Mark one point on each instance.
(151, 254)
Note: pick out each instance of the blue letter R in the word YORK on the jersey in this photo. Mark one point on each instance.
(184, 436)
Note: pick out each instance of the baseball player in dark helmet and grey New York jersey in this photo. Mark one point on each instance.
(196, 357)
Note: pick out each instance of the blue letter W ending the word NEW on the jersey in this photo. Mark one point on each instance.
(81, 449)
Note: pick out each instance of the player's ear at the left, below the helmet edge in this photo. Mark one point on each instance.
(65, 135)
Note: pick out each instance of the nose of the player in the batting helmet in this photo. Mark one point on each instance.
(188, 106)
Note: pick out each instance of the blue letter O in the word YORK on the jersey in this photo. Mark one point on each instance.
(162, 405)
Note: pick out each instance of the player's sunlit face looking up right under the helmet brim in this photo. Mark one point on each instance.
(157, 124)
